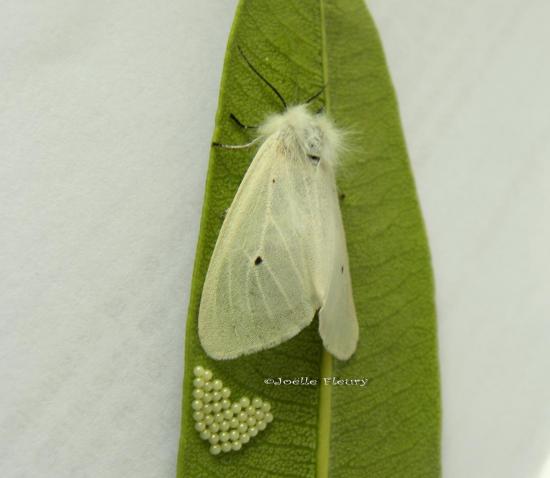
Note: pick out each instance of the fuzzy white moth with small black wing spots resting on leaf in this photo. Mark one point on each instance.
(281, 253)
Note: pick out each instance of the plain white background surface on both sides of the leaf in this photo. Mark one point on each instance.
(106, 114)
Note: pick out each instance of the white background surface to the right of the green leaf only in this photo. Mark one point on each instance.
(472, 79)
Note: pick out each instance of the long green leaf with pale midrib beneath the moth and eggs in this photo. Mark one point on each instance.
(390, 428)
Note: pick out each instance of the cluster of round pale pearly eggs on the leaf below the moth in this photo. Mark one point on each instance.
(225, 424)
